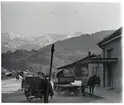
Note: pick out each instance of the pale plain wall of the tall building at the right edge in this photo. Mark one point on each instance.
(116, 67)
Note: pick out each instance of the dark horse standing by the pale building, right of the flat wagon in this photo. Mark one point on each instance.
(92, 81)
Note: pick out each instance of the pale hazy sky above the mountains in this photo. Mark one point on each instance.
(39, 18)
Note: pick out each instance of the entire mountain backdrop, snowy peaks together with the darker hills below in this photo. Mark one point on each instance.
(68, 49)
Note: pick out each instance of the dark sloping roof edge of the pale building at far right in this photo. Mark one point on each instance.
(117, 34)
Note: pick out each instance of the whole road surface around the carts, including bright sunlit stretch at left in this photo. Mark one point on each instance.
(11, 93)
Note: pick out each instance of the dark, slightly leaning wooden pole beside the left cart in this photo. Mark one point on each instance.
(48, 85)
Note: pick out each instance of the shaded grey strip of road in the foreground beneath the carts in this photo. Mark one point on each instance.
(19, 97)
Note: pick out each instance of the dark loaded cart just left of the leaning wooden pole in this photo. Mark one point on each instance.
(34, 87)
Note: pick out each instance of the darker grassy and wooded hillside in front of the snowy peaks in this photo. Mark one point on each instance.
(66, 51)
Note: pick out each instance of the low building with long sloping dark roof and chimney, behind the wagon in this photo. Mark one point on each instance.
(79, 68)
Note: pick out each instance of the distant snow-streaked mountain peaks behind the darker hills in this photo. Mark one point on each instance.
(11, 41)
